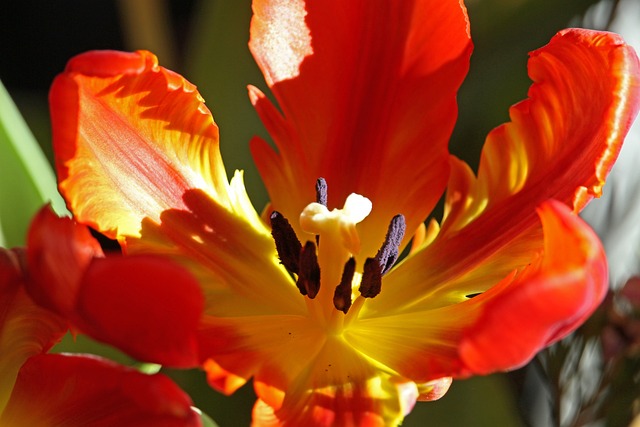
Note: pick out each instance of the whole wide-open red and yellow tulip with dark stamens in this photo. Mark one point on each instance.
(339, 303)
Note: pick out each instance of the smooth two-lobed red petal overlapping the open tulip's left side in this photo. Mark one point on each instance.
(147, 306)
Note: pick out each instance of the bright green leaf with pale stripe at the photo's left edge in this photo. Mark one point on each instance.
(27, 180)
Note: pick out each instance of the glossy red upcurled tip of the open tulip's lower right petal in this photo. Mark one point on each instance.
(541, 307)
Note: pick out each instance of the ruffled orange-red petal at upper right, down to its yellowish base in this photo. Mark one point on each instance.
(560, 144)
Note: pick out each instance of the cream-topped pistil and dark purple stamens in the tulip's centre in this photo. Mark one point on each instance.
(331, 257)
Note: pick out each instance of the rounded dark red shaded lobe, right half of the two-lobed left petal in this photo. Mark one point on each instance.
(146, 306)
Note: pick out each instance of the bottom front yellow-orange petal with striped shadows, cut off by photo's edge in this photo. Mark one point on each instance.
(338, 387)
